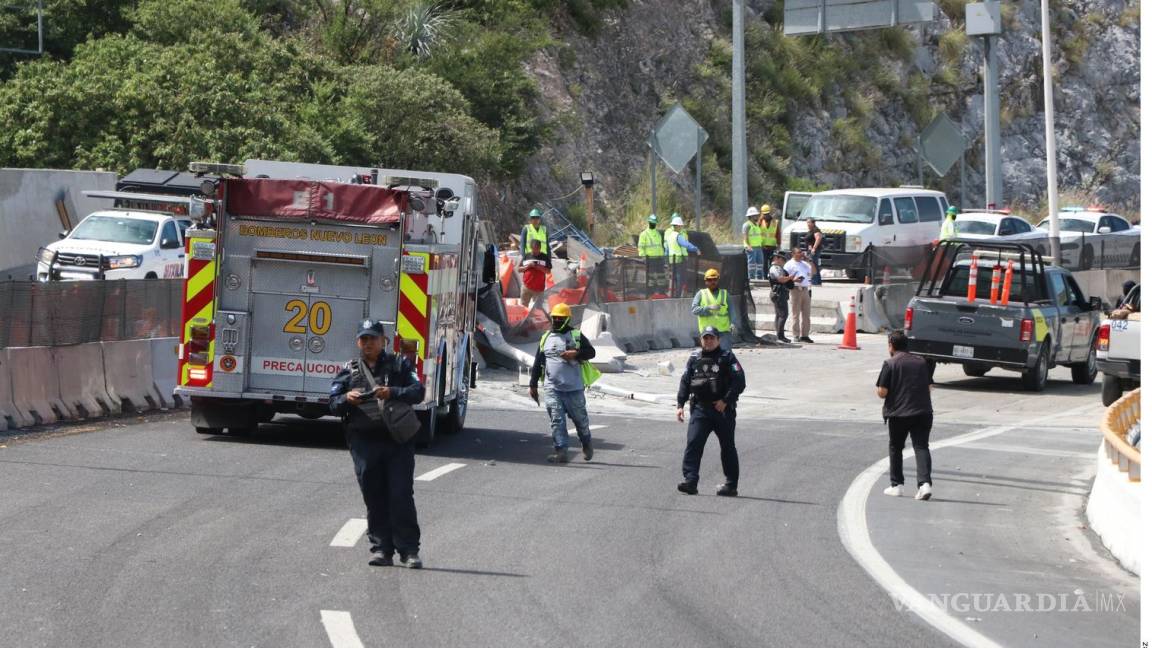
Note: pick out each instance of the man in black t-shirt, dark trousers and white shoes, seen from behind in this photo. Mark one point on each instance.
(905, 387)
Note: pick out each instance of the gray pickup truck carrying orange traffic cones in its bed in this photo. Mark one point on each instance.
(1044, 320)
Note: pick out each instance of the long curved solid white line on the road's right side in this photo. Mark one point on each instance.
(853, 526)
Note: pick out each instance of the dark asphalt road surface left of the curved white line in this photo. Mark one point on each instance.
(143, 533)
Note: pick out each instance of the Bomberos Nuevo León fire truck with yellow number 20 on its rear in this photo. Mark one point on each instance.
(282, 273)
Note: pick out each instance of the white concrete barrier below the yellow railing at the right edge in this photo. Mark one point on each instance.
(1115, 513)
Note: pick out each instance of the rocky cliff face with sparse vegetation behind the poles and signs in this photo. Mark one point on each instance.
(604, 93)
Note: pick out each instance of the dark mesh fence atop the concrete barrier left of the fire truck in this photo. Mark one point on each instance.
(69, 313)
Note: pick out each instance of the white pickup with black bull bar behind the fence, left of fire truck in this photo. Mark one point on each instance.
(117, 245)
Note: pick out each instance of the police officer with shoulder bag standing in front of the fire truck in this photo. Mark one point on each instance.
(384, 468)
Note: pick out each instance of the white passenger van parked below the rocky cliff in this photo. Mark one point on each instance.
(853, 220)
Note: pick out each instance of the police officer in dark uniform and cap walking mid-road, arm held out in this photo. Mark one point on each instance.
(713, 383)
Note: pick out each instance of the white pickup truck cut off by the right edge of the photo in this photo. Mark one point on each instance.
(1118, 349)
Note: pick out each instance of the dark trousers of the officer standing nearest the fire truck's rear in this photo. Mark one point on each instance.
(384, 471)
